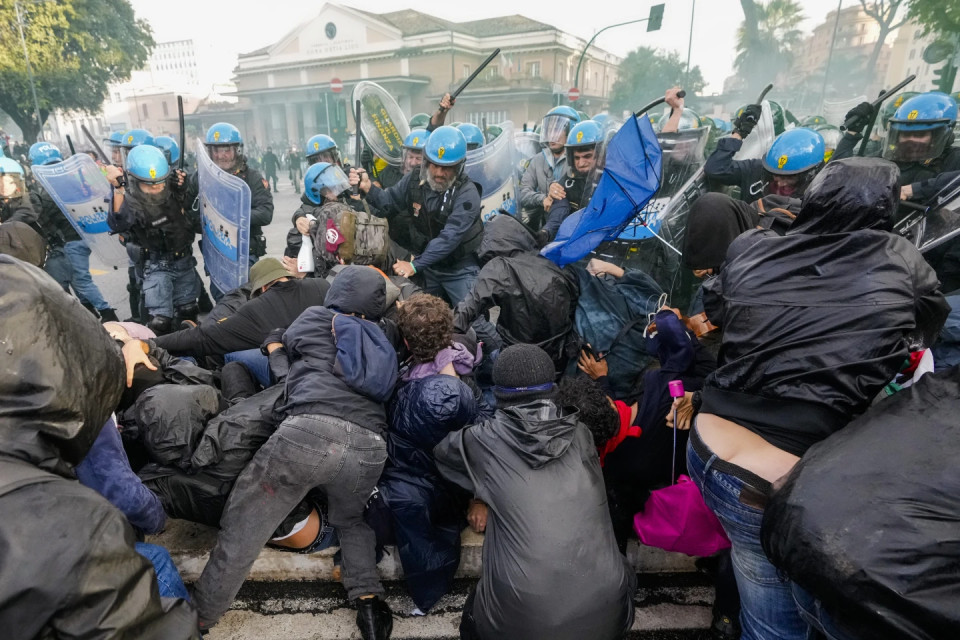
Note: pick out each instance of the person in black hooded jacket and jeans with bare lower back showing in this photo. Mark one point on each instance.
(803, 355)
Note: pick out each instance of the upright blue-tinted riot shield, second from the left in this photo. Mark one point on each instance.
(225, 217)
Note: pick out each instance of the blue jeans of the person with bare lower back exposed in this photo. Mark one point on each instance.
(768, 610)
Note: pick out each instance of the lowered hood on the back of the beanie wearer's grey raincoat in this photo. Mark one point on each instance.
(538, 431)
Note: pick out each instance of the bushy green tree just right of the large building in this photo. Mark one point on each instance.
(647, 73)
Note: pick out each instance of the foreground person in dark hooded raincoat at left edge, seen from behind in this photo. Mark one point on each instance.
(63, 378)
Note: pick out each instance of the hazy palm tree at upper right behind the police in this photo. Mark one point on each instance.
(766, 40)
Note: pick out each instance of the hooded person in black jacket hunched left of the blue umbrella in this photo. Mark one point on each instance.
(537, 299)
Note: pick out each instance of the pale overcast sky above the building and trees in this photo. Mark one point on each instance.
(231, 28)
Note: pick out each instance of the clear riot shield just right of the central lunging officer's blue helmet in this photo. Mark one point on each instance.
(492, 167)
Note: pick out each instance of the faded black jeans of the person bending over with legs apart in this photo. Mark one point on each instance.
(306, 451)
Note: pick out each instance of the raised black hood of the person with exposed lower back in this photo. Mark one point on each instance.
(849, 195)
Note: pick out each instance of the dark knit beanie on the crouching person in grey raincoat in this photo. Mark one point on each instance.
(523, 372)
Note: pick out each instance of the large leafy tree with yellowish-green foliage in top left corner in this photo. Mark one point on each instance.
(76, 47)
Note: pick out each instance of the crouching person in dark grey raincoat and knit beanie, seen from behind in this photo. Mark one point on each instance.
(536, 468)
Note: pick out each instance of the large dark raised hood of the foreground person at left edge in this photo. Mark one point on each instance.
(61, 374)
